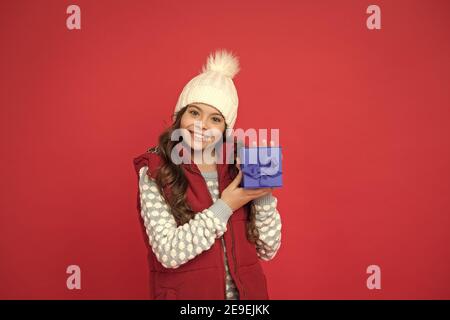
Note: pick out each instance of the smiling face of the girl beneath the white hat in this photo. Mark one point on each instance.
(205, 120)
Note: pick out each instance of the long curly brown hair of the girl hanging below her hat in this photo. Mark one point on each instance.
(172, 176)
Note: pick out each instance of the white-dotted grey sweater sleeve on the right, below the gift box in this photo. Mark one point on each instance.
(268, 222)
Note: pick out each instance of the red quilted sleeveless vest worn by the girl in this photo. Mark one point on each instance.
(204, 276)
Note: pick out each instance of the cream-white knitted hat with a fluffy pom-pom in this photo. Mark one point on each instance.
(214, 86)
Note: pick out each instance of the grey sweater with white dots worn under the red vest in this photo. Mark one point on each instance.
(174, 246)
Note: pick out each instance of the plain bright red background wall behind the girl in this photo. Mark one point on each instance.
(363, 118)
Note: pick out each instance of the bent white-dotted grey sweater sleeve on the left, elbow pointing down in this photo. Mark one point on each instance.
(172, 245)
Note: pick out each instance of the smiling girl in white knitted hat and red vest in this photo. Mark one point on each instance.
(206, 235)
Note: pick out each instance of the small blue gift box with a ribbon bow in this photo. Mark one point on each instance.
(261, 167)
